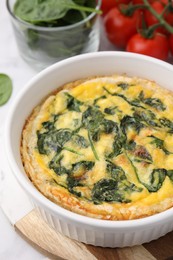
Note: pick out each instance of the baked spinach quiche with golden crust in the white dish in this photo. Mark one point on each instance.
(103, 147)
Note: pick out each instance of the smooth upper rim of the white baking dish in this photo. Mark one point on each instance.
(38, 196)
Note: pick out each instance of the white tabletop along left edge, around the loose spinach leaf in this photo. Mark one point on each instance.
(12, 246)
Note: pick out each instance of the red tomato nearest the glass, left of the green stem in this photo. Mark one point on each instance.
(120, 28)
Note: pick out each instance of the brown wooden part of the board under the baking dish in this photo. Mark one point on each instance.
(56, 246)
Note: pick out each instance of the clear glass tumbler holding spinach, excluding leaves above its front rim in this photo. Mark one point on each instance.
(43, 46)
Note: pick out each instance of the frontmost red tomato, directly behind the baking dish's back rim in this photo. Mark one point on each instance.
(157, 47)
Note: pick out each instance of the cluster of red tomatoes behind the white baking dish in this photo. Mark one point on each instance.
(124, 31)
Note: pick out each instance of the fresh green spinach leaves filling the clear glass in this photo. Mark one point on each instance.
(53, 14)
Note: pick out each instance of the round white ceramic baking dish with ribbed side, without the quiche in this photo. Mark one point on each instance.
(88, 230)
